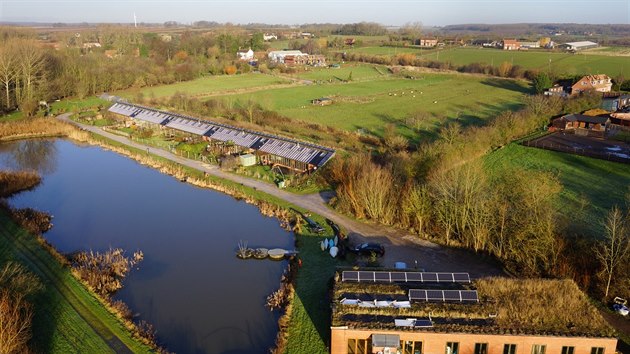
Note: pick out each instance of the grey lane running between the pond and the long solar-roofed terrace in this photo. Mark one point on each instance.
(400, 246)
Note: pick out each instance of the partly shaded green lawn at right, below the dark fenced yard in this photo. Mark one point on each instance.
(590, 186)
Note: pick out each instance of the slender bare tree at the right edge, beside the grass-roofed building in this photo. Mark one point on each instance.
(613, 249)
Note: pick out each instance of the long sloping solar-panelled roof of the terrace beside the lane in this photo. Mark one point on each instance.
(288, 148)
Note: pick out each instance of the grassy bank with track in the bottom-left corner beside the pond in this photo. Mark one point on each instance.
(68, 319)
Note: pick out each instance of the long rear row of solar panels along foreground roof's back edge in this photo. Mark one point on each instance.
(404, 277)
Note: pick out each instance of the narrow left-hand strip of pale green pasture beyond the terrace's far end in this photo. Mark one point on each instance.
(209, 85)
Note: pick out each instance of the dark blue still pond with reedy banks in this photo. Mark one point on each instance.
(190, 286)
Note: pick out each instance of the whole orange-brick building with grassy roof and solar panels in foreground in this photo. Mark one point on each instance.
(425, 312)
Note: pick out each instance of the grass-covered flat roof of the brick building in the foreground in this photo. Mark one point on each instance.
(520, 306)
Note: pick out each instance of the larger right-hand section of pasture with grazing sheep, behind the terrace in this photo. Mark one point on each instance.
(369, 104)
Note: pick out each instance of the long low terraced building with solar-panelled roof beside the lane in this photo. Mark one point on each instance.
(269, 149)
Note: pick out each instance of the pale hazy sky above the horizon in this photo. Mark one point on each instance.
(396, 12)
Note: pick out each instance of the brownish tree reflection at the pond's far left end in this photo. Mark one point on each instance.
(36, 155)
